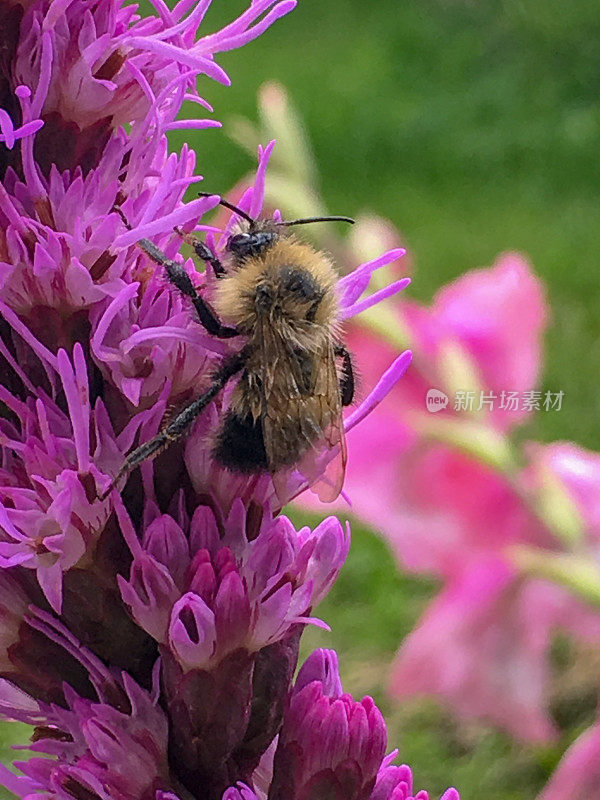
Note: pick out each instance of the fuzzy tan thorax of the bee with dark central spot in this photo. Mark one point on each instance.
(236, 294)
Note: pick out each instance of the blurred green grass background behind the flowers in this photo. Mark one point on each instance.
(474, 125)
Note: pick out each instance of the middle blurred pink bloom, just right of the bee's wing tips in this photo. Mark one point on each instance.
(436, 515)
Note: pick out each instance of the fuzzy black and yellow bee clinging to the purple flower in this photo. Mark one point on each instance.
(293, 372)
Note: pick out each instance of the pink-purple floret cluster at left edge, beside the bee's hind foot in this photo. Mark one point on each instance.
(49, 512)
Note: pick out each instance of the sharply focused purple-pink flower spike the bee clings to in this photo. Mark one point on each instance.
(150, 638)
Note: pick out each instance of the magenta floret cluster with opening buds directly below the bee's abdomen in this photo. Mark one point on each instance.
(214, 588)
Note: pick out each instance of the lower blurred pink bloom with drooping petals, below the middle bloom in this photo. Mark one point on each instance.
(483, 647)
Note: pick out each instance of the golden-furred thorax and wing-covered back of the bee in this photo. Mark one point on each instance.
(284, 301)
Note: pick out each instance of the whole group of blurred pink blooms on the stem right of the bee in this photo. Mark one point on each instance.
(483, 644)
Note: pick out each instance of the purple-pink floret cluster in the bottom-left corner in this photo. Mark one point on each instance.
(94, 748)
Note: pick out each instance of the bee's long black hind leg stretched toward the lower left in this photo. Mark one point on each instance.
(178, 426)
